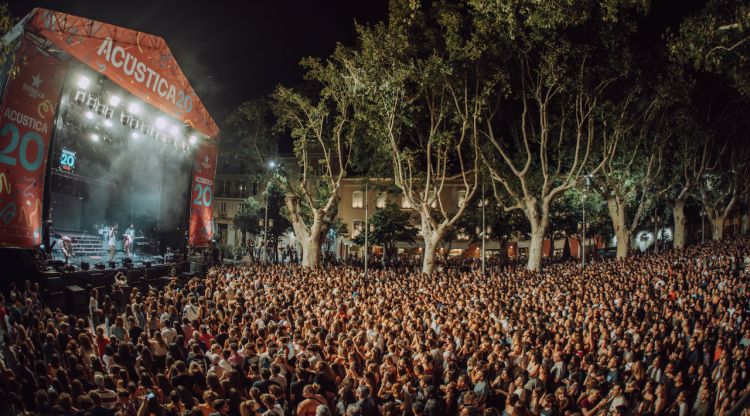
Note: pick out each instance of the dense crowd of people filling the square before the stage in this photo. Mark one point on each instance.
(655, 334)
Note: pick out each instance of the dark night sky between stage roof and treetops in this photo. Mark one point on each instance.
(232, 51)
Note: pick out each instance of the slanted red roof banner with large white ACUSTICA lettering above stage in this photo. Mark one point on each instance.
(139, 62)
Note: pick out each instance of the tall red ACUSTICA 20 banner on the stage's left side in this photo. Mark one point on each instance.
(27, 119)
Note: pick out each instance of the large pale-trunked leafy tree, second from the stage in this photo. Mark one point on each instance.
(425, 96)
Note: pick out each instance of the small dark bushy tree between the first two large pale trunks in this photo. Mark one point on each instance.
(390, 225)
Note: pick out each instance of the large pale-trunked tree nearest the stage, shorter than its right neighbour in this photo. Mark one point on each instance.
(321, 123)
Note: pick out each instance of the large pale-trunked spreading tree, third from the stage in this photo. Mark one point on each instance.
(562, 57)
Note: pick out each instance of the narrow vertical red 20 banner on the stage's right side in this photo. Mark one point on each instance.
(202, 195)
